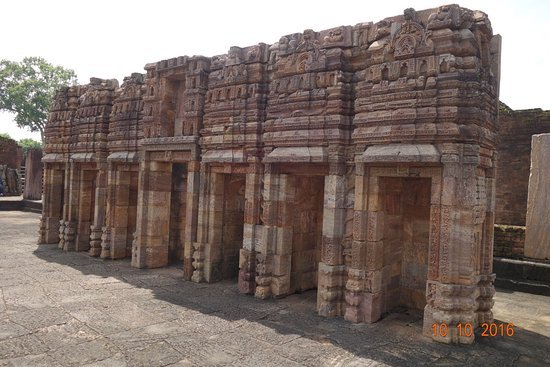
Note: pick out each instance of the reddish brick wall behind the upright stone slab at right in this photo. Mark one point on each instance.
(514, 160)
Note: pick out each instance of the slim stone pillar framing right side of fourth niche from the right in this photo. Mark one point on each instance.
(191, 216)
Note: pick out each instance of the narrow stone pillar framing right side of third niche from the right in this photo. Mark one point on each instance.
(252, 229)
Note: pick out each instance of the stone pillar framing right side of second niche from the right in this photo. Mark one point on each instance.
(330, 284)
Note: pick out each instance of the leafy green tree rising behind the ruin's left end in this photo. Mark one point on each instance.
(27, 89)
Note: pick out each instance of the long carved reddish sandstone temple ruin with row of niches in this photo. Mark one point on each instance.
(358, 160)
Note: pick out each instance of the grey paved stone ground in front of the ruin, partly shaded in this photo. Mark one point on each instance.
(68, 309)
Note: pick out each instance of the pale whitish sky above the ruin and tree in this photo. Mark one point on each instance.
(112, 39)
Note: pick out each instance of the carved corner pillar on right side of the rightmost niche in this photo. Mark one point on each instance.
(452, 298)
